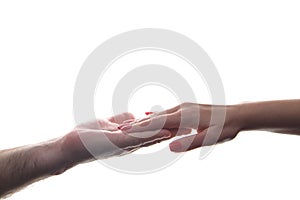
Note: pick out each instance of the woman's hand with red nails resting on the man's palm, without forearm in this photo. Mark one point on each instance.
(213, 123)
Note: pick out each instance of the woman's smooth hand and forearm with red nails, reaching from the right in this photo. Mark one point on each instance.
(275, 116)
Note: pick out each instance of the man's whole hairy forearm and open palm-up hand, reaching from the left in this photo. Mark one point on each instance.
(22, 166)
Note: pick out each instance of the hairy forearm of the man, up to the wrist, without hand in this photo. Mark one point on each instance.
(22, 166)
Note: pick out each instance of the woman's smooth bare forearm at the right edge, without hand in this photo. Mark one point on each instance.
(277, 116)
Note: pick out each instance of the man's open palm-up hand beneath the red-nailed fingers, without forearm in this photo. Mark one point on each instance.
(102, 139)
